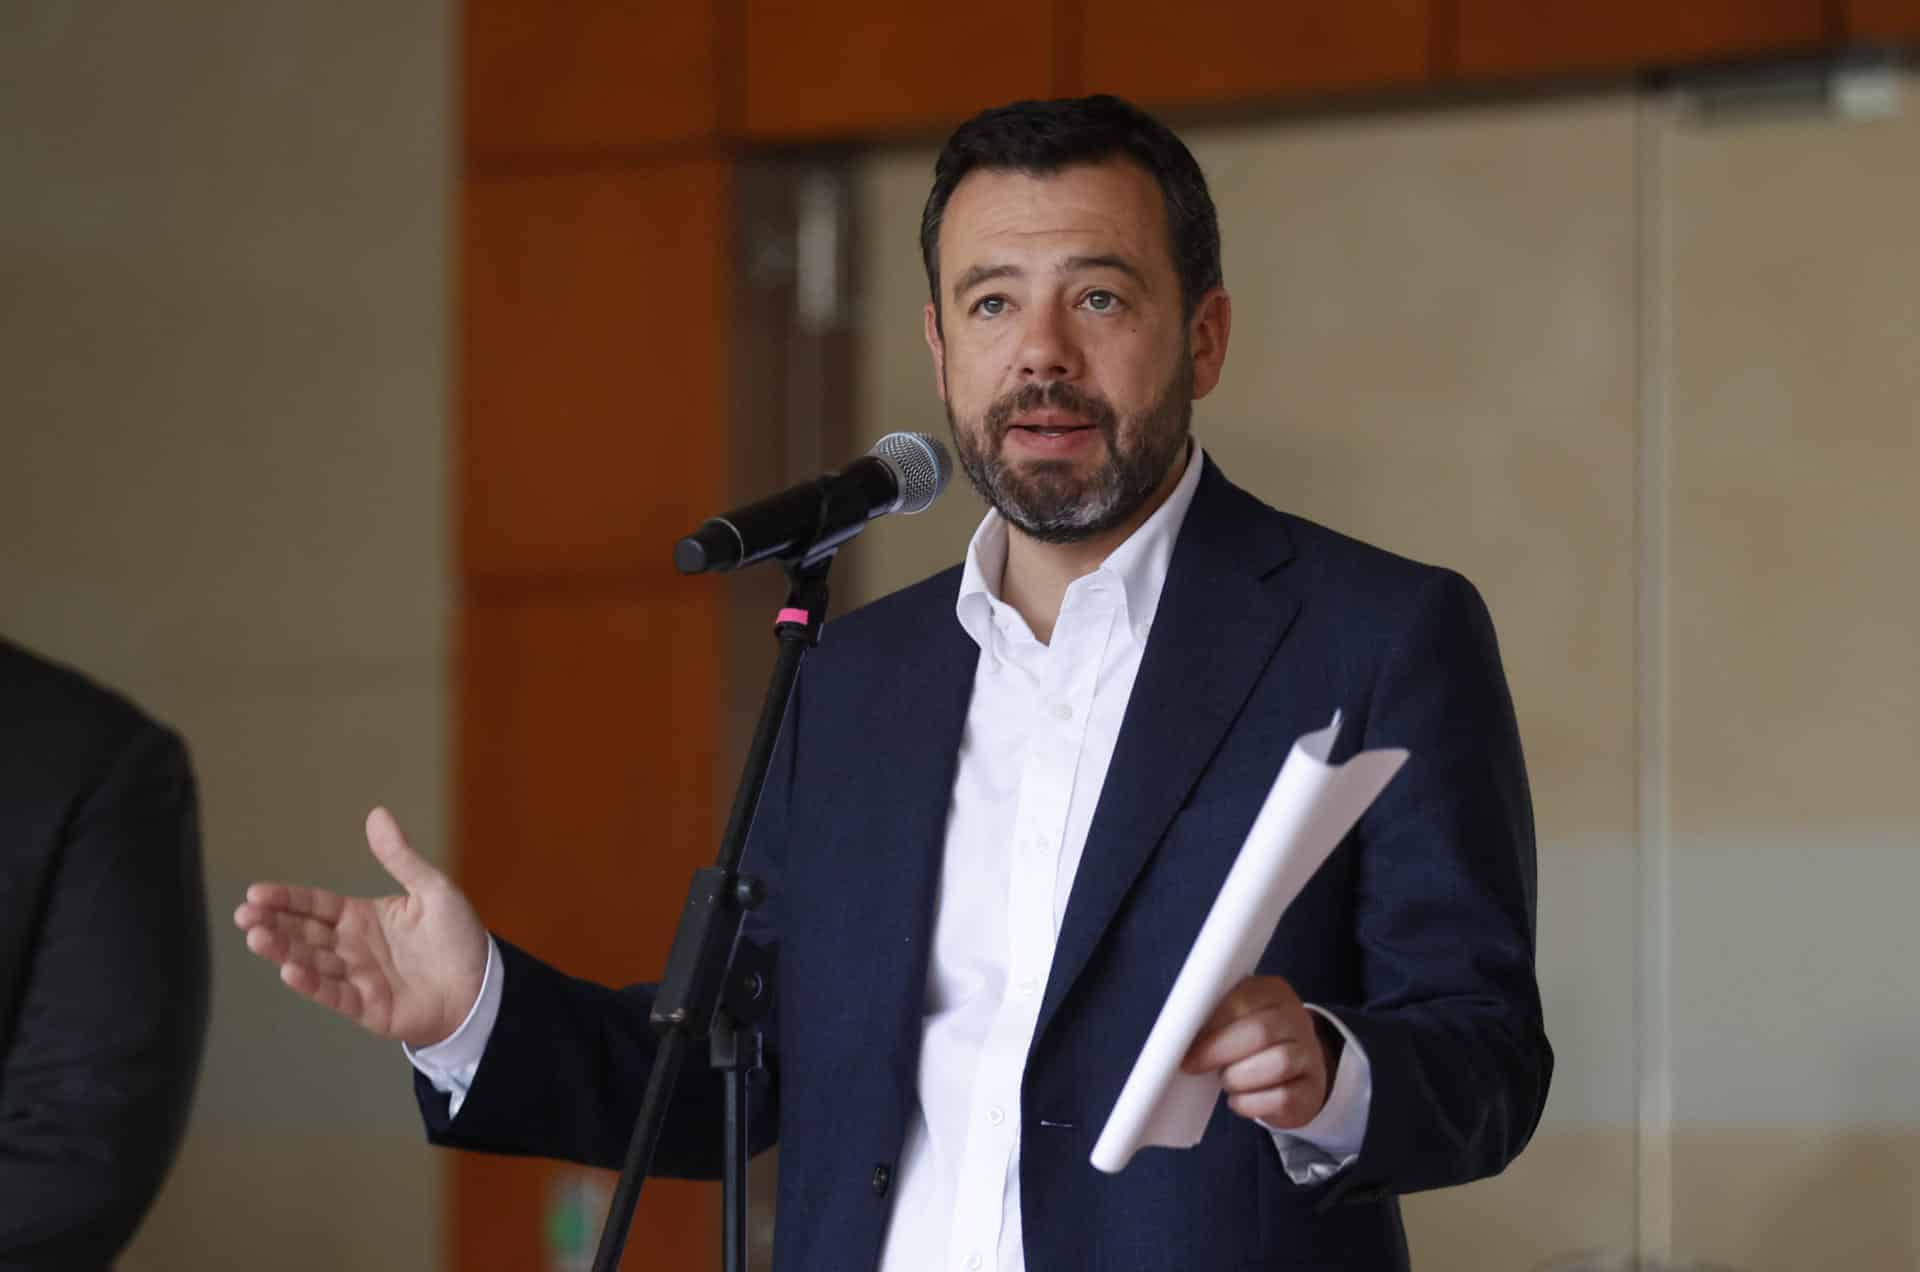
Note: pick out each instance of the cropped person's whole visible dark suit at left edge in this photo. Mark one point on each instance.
(103, 964)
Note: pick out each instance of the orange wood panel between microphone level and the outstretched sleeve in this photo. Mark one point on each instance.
(590, 743)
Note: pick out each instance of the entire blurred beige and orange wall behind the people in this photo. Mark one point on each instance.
(360, 366)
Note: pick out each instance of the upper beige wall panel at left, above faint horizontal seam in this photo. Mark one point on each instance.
(224, 335)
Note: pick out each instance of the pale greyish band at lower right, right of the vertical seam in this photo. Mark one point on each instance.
(1794, 992)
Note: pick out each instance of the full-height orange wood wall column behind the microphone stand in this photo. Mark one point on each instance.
(594, 429)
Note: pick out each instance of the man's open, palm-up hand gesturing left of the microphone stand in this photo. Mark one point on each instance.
(406, 967)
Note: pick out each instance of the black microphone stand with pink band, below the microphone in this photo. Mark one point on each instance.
(719, 987)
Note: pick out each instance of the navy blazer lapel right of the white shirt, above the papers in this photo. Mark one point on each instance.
(1222, 616)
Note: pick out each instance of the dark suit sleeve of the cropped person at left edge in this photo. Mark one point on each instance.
(112, 1017)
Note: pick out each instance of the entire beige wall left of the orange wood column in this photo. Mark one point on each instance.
(224, 491)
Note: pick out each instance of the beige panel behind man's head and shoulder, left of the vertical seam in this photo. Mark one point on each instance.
(1435, 333)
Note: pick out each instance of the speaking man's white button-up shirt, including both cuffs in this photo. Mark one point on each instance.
(1034, 756)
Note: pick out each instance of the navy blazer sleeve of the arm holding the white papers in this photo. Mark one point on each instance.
(1445, 919)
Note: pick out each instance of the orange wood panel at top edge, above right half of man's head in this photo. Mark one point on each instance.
(1236, 51)
